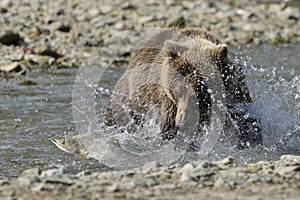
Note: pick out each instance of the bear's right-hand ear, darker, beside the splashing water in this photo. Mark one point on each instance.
(220, 54)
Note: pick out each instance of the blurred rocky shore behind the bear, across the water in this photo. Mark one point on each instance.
(38, 35)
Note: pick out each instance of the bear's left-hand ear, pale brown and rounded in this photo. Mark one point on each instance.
(172, 49)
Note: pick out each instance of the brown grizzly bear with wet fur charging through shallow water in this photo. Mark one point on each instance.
(169, 69)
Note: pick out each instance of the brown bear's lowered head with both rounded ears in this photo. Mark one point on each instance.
(195, 59)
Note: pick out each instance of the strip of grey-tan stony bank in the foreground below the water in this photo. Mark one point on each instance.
(223, 179)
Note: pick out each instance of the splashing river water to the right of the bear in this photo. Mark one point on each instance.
(274, 81)
